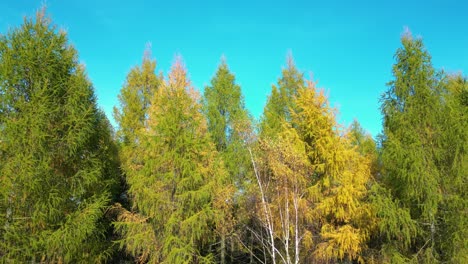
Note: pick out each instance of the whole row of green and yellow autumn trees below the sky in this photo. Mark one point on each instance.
(189, 176)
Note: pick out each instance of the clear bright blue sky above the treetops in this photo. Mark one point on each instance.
(347, 46)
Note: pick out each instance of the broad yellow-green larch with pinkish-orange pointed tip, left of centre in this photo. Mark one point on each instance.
(177, 196)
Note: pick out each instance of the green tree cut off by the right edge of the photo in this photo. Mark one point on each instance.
(452, 240)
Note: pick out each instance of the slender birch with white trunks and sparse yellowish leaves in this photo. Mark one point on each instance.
(282, 172)
